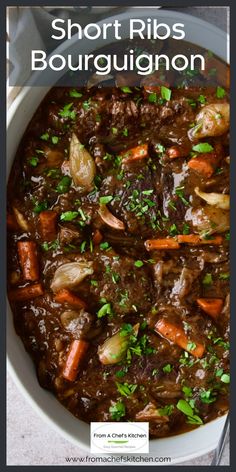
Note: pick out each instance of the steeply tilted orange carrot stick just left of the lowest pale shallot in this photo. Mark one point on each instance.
(75, 355)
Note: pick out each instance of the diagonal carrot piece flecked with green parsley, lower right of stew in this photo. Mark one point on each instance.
(177, 335)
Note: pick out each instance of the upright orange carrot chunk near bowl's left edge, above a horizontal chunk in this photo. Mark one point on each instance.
(27, 251)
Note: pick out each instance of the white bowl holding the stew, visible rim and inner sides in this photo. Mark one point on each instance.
(182, 447)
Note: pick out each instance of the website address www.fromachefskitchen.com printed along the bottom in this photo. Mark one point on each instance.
(118, 459)
